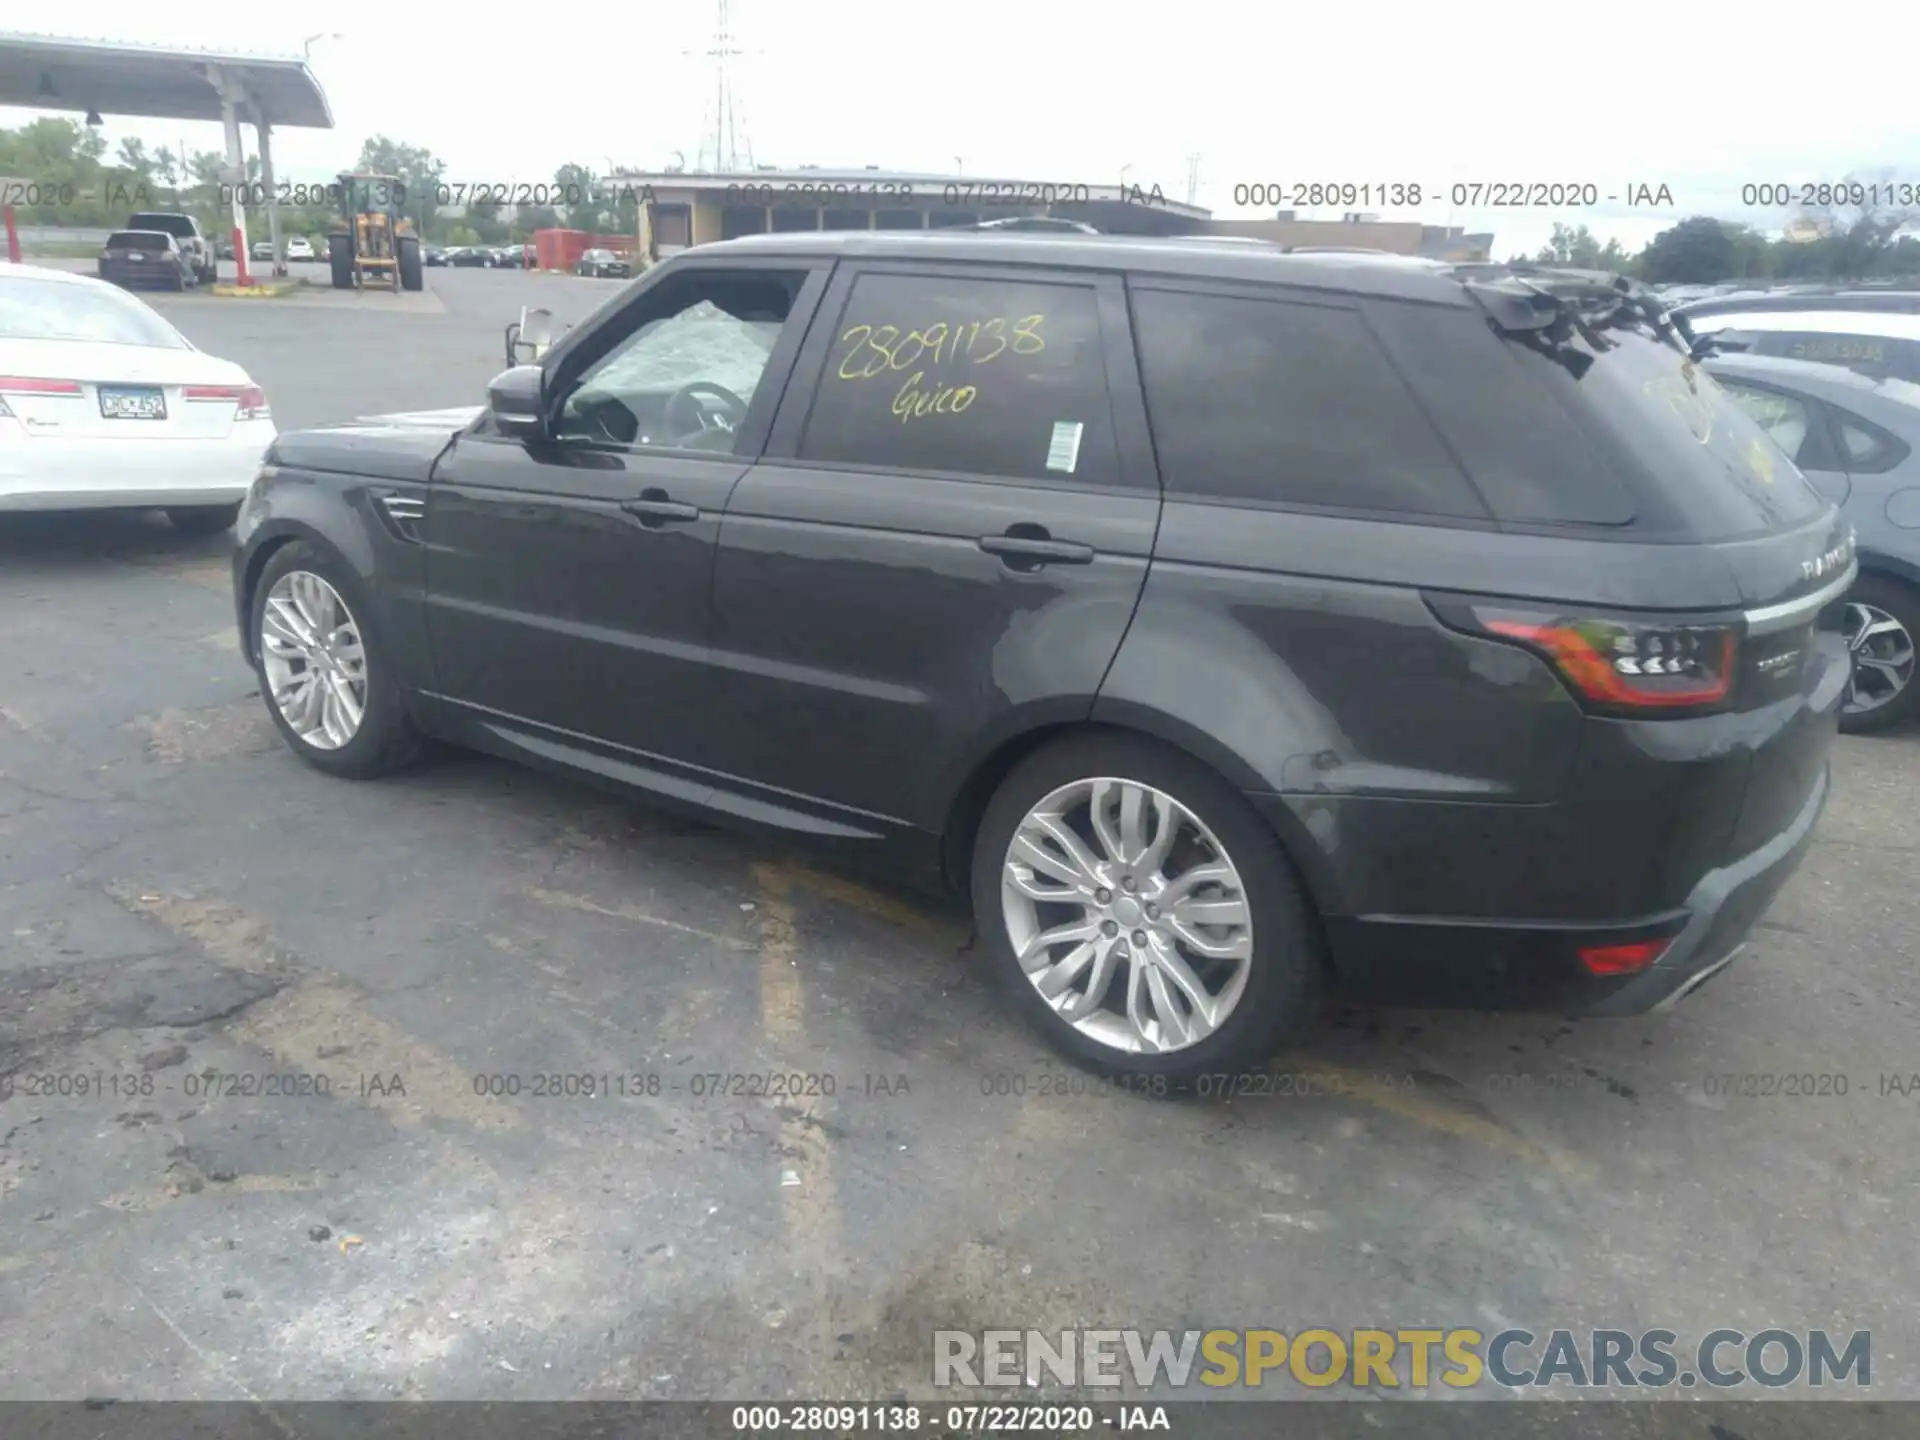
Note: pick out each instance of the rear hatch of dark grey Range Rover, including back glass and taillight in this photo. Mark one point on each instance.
(1702, 496)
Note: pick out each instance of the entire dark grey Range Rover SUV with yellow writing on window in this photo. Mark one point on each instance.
(1226, 623)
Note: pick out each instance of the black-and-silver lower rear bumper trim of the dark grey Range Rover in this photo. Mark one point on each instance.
(1527, 965)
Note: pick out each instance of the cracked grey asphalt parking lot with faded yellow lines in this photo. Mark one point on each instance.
(181, 896)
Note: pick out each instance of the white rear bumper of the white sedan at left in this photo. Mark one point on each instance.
(91, 475)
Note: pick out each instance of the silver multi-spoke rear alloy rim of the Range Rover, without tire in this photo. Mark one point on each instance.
(1111, 876)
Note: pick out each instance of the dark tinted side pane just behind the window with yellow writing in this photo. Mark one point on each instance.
(1272, 402)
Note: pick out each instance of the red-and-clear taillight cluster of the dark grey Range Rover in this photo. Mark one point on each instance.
(1637, 667)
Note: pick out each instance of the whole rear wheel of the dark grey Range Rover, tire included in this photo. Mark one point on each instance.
(1143, 913)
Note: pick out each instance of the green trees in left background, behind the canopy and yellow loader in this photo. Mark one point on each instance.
(76, 185)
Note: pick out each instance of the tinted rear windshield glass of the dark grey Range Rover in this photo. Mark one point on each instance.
(1694, 460)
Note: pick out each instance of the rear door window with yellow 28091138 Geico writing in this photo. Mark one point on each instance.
(967, 375)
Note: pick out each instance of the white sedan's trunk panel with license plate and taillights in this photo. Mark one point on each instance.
(78, 391)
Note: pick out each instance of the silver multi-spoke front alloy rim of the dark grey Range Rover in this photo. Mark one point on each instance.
(314, 660)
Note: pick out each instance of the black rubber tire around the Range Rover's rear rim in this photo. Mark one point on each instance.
(1287, 972)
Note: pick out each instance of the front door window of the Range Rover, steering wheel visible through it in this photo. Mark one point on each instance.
(690, 368)
